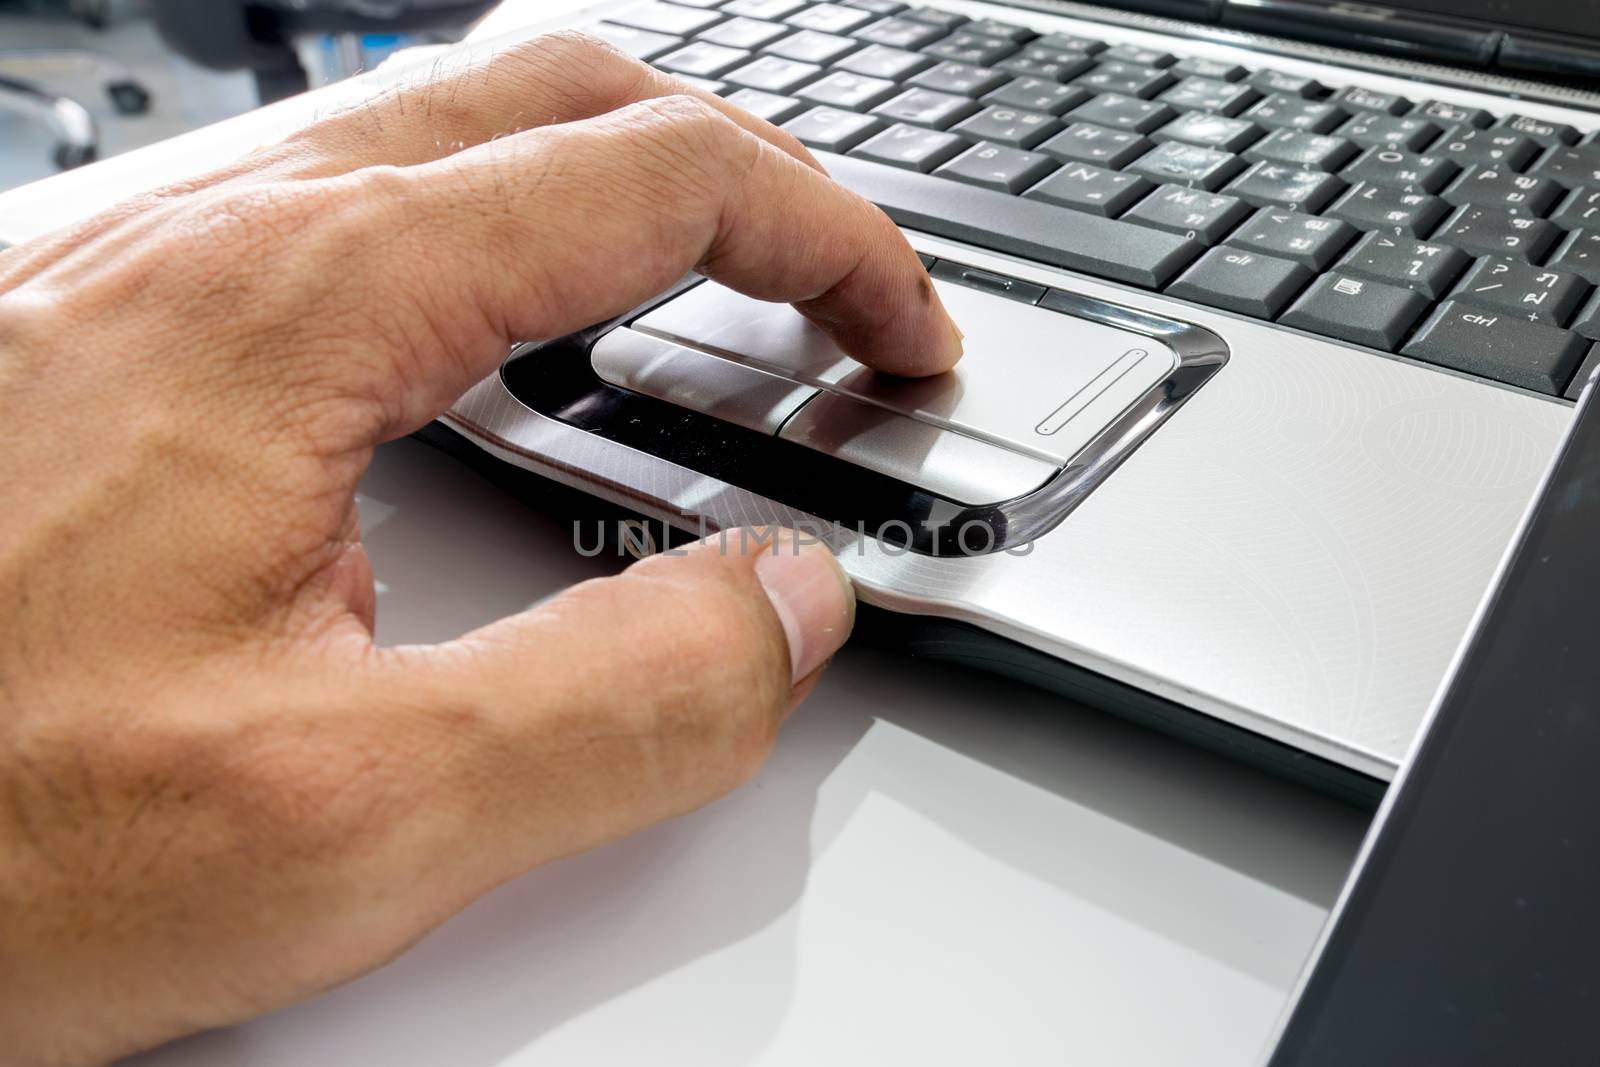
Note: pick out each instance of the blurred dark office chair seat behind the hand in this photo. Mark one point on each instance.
(263, 36)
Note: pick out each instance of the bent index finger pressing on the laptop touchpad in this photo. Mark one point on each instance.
(551, 231)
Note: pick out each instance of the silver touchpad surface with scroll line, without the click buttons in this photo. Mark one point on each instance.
(1033, 380)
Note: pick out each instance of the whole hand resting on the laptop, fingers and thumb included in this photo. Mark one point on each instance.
(217, 794)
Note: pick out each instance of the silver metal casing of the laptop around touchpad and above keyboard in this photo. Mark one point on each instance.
(1298, 551)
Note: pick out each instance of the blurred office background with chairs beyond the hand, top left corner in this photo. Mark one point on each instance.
(90, 79)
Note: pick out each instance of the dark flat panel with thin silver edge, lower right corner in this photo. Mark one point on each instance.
(1466, 930)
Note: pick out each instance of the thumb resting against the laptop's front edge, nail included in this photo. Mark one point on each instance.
(620, 703)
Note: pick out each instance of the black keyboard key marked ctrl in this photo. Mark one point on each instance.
(1498, 346)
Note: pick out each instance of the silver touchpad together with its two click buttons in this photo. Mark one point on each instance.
(1042, 383)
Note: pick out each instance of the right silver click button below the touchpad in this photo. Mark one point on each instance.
(938, 460)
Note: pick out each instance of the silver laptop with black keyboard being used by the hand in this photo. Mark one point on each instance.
(1276, 313)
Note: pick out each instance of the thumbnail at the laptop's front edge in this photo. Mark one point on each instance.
(812, 596)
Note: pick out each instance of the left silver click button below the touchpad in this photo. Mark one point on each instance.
(722, 390)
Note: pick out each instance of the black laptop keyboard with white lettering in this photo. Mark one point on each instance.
(1420, 228)
